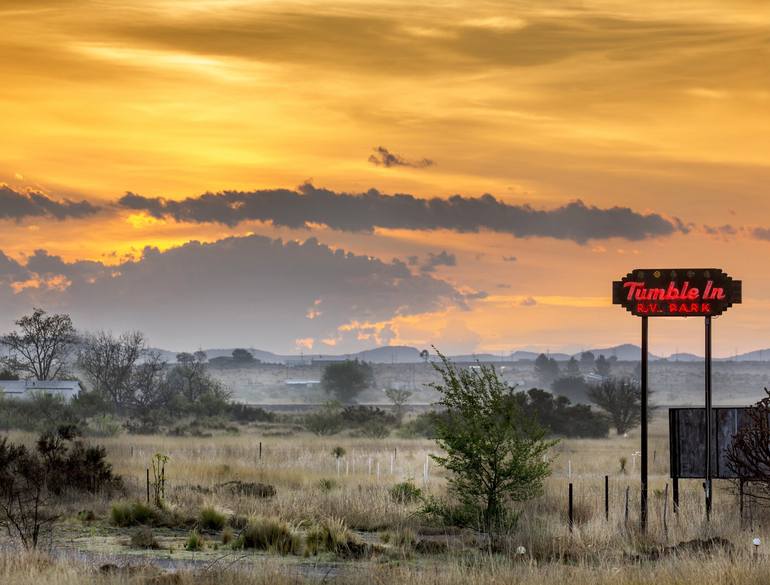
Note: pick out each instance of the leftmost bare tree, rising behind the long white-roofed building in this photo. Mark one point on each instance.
(42, 344)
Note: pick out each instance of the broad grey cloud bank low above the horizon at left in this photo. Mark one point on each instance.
(241, 290)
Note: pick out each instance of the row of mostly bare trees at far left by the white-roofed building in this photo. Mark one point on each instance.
(122, 375)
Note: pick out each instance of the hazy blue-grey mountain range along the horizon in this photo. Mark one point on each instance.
(400, 354)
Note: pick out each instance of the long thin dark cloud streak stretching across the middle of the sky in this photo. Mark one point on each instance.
(574, 221)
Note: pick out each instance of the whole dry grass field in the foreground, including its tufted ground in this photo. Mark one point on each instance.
(313, 486)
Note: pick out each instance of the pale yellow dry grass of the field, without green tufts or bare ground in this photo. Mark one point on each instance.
(597, 551)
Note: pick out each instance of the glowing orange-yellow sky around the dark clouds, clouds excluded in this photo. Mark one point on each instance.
(643, 105)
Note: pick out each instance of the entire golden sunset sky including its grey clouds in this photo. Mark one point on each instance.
(660, 108)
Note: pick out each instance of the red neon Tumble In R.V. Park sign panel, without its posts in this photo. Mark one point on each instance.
(688, 292)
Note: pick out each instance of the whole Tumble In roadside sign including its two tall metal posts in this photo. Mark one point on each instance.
(675, 292)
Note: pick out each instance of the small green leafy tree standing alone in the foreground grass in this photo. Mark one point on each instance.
(495, 454)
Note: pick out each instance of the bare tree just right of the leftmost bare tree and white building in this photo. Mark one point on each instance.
(108, 363)
